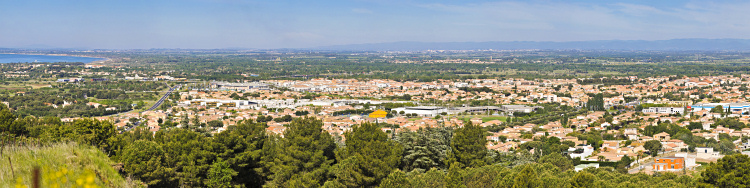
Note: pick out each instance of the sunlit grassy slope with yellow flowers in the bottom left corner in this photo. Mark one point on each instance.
(61, 165)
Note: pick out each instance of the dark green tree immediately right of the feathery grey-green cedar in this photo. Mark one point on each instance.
(468, 146)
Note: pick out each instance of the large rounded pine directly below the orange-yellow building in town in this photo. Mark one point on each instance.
(369, 156)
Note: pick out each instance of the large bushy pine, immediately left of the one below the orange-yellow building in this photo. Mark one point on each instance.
(304, 155)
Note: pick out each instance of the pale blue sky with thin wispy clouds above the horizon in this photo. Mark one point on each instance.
(266, 24)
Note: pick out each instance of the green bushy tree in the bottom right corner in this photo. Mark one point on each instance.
(729, 171)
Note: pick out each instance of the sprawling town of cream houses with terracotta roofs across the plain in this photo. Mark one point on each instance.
(713, 109)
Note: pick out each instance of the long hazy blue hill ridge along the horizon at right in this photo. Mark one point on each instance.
(672, 45)
